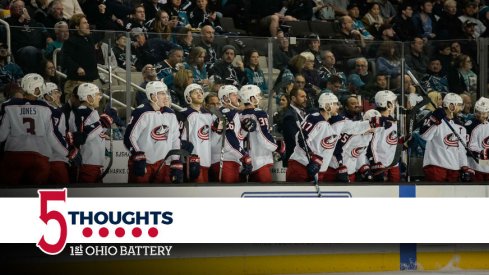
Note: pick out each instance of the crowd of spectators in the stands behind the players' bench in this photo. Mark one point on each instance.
(181, 42)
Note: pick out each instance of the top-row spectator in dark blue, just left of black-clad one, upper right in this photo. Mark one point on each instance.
(424, 20)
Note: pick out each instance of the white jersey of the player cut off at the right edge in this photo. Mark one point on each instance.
(478, 140)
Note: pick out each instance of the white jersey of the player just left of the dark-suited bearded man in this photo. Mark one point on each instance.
(261, 143)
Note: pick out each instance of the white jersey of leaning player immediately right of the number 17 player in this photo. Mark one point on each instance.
(352, 150)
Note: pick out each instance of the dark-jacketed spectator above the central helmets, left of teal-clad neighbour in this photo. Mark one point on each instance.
(224, 68)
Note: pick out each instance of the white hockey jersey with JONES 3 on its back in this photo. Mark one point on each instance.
(27, 126)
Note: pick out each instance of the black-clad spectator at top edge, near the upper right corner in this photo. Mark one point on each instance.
(449, 26)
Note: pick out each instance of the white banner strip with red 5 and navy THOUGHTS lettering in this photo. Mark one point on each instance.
(242, 220)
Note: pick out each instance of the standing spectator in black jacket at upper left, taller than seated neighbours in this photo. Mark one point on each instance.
(79, 58)
